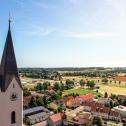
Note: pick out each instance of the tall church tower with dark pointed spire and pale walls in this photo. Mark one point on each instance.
(11, 93)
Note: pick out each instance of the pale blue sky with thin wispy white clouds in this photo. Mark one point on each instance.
(66, 33)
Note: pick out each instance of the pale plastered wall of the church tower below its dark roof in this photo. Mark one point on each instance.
(7, 105)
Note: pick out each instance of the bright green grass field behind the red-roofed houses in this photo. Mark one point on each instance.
(80, 91)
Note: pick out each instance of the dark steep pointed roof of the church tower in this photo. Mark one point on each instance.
(8, 63)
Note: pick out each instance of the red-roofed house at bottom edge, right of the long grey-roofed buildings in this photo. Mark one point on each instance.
(56, 119)
